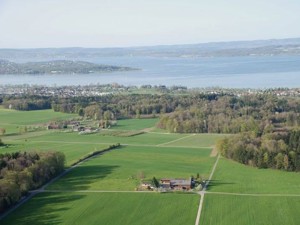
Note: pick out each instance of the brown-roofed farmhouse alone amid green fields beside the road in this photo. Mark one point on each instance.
(176, 184)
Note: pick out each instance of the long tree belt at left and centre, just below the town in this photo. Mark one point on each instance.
(121, 105)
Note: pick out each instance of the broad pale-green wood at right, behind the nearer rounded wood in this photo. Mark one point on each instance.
(231, 114)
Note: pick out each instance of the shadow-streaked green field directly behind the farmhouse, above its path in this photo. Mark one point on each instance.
(121, 168)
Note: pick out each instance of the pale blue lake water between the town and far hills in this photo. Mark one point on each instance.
(235, 72)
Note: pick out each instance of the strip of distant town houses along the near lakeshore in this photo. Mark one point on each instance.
(115, 88)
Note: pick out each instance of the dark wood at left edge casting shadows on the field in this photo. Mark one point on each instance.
(23, 171)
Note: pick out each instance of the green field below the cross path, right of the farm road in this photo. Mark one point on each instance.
(249, 210)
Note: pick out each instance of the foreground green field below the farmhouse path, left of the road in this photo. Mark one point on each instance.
(107, 209)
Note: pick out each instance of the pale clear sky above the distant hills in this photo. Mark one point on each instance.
(124, 23)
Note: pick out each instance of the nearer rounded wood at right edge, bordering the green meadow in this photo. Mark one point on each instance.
(278, 150)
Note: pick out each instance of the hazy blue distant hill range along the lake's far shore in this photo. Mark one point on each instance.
(217, 49)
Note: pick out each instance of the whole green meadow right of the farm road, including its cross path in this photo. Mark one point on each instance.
(248, 195)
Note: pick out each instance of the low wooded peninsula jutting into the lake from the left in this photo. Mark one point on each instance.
(57, 67)
